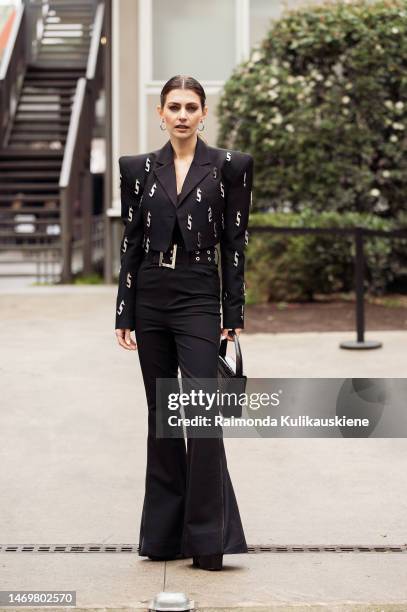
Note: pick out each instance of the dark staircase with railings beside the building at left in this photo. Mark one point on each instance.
(49, 93)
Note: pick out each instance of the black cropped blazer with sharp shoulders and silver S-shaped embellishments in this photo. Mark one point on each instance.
(213, 208)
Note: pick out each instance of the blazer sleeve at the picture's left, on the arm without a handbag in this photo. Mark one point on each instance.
(131, 248)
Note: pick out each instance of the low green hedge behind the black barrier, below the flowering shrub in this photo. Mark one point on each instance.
(293, 267)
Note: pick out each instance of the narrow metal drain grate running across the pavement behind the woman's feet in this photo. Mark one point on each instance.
(253, 549)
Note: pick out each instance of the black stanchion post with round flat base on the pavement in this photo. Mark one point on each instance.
(360, 342)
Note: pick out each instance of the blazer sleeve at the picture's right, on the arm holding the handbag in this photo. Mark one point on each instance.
(233, 244)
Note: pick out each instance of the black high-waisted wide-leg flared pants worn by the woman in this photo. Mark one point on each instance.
(189, 503)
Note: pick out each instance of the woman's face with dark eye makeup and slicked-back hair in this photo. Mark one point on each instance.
(182, 113)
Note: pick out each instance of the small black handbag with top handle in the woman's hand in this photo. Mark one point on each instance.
(229, 380)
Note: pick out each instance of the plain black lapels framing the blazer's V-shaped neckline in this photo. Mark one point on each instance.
(165, 170)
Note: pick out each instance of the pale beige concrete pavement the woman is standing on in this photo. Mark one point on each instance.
(73, 449)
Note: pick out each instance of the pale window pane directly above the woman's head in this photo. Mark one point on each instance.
(193, 37)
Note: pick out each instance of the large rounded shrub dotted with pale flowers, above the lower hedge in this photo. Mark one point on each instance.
(322, 106)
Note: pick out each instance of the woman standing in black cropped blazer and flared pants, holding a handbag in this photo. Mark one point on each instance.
(178, 203)
